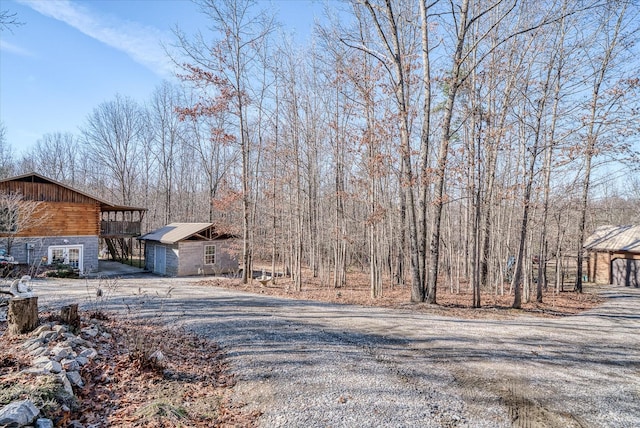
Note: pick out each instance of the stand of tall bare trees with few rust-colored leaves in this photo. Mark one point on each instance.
(428, 143)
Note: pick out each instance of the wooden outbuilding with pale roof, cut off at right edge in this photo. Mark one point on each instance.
(614, 255)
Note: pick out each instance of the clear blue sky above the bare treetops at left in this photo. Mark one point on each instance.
(70, 56)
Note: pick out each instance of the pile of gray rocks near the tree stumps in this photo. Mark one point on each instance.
(55, 351)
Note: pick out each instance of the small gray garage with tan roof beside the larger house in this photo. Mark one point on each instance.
(183, 249)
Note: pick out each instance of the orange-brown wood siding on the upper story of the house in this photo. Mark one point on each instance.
(66, 219)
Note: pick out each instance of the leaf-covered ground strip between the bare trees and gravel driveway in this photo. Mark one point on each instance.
(455, 302)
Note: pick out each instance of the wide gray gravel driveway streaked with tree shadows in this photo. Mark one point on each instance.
(309, 364)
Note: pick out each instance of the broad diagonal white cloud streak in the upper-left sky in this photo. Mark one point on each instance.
(141, 43)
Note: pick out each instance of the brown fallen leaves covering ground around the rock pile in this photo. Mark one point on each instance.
(189, 386)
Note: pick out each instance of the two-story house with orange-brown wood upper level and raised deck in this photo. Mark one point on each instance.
(67, 226)
